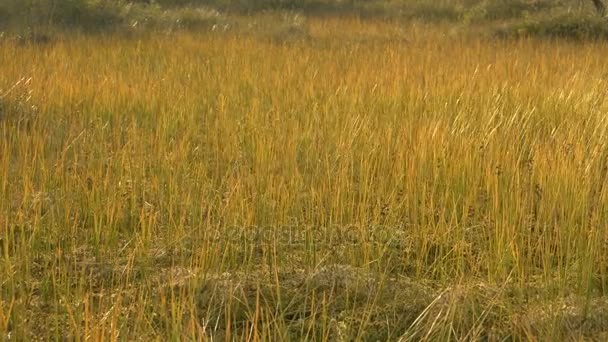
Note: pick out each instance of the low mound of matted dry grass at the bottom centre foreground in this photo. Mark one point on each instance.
(332, 302)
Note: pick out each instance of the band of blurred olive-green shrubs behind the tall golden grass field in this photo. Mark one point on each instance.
(569, 18)
